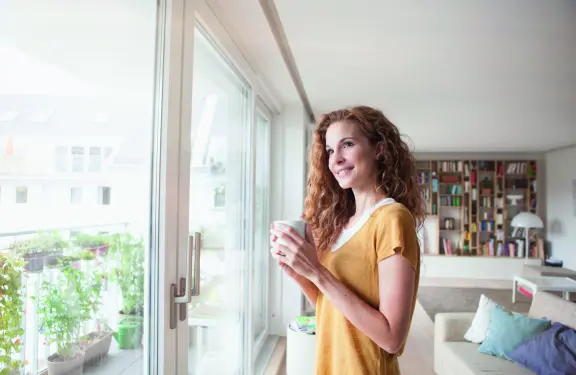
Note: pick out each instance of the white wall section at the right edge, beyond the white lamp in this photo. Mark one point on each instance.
(561, 206)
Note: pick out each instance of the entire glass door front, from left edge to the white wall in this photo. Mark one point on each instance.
(134, 194)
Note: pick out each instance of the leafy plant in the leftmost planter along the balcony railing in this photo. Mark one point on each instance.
(40, 250)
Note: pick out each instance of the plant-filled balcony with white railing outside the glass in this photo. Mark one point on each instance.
(67, 288)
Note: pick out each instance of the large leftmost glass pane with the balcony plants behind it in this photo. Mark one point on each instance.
(76, 78)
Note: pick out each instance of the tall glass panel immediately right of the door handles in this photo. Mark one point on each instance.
(218, 210)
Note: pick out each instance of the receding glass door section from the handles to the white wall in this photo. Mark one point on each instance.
(228, 216)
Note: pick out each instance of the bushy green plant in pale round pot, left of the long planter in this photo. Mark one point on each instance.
(62, 308)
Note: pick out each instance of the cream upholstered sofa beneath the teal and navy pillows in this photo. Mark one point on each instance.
(453, 355)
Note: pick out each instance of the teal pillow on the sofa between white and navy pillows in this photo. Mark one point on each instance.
(507, 330)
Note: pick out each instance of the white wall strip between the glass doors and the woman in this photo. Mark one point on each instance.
(287, 203)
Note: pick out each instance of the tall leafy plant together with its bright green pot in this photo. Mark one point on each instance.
(129, 274)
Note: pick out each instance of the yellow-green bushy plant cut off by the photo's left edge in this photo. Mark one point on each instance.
(11, 312)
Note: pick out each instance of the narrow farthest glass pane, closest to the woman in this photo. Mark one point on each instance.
(261, 243)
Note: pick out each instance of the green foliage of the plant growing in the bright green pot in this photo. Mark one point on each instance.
(129, 271)
